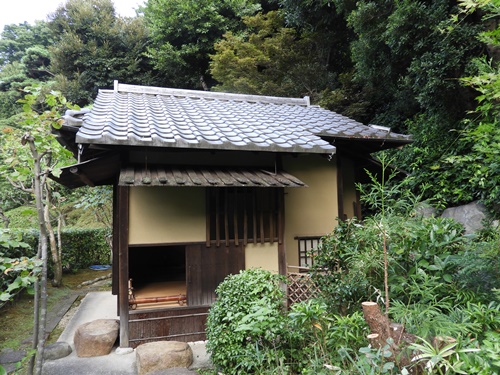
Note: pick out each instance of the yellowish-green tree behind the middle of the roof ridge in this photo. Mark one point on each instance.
(270, 59)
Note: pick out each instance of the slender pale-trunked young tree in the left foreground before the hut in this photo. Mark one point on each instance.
(29, 170)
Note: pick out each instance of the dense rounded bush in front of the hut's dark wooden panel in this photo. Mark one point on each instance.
(245, 325)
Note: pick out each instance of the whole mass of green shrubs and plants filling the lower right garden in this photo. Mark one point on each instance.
(442, 286)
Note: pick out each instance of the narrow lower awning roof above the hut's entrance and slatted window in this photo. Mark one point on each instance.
(206, 176)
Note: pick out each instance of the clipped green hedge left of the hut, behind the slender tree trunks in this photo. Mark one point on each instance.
(81, 248)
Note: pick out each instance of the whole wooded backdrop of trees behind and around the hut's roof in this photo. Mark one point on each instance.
(426, 68)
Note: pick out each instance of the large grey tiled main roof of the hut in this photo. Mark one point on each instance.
(159, 117)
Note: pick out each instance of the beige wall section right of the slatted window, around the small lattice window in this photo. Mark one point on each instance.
(312, 210)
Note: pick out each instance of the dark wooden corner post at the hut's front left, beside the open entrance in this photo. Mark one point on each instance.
(123, 223)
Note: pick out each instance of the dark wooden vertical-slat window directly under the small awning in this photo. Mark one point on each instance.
(244, 215)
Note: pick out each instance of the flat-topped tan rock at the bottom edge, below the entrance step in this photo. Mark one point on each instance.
(162, 355)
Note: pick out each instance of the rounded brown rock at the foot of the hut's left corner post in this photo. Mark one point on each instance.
(96, 338)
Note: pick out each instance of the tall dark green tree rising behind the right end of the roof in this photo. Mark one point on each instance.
(409, 57)
